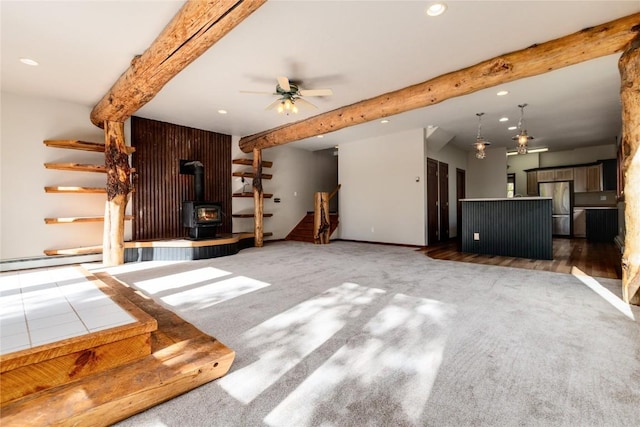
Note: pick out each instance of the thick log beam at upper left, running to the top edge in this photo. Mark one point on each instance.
(196, 27)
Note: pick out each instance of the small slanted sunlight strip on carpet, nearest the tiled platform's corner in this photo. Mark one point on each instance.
(211, 294)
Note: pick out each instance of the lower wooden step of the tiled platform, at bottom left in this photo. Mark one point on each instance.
(119, 393)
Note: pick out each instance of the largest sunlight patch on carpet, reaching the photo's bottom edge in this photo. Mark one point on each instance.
(385, 373)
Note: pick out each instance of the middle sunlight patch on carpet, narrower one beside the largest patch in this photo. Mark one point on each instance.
(281, 342)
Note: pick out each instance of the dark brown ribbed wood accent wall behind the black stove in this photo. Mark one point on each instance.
(159, 186)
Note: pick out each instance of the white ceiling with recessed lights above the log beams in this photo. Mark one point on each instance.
(360, 49)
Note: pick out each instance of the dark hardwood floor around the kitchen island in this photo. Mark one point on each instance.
(594, 259)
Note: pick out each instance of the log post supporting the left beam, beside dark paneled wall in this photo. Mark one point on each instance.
(118, 188)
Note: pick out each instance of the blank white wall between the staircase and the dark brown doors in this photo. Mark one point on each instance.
(380, 200)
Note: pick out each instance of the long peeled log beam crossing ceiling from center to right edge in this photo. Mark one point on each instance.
(538, 59)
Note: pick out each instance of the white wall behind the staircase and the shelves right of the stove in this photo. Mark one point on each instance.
(294, 182)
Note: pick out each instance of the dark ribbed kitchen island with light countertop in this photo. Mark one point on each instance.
(518, 227)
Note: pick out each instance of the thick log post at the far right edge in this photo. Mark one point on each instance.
(629, 66)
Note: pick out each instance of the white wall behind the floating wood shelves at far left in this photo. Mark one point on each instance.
(26, 123)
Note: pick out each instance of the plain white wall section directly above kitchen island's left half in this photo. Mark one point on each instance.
(487, 177)
